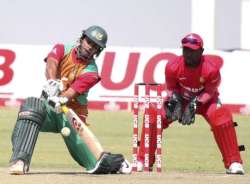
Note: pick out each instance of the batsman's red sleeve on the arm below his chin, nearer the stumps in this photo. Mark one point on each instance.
(85, 81)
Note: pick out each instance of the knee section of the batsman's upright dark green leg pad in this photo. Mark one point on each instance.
(33, 109)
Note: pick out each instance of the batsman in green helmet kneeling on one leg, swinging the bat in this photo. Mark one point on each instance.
(71, 71)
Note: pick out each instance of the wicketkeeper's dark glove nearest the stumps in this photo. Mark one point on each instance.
(173, 107)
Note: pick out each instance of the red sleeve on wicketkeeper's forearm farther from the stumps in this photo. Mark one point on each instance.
(211, 87)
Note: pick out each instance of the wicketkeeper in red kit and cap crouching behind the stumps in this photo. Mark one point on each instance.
(192, 82)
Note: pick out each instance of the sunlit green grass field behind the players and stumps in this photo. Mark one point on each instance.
(185, 148)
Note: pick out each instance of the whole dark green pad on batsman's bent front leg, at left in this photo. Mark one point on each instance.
(29, 121)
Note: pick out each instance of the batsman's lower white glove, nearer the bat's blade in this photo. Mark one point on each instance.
(56, 103)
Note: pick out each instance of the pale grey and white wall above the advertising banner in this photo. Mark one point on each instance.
(224, 24)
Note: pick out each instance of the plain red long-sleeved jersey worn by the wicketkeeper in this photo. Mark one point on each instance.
(201, 82)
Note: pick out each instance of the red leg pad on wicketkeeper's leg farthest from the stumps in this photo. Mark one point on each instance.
(225, 135)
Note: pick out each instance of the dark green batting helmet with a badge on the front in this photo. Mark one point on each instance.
(97, 34)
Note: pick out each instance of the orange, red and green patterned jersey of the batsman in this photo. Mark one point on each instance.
(72, 71)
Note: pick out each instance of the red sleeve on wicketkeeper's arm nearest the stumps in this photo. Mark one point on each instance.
(171, 78)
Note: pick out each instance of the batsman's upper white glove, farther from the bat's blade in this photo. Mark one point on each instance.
(52, 88)
